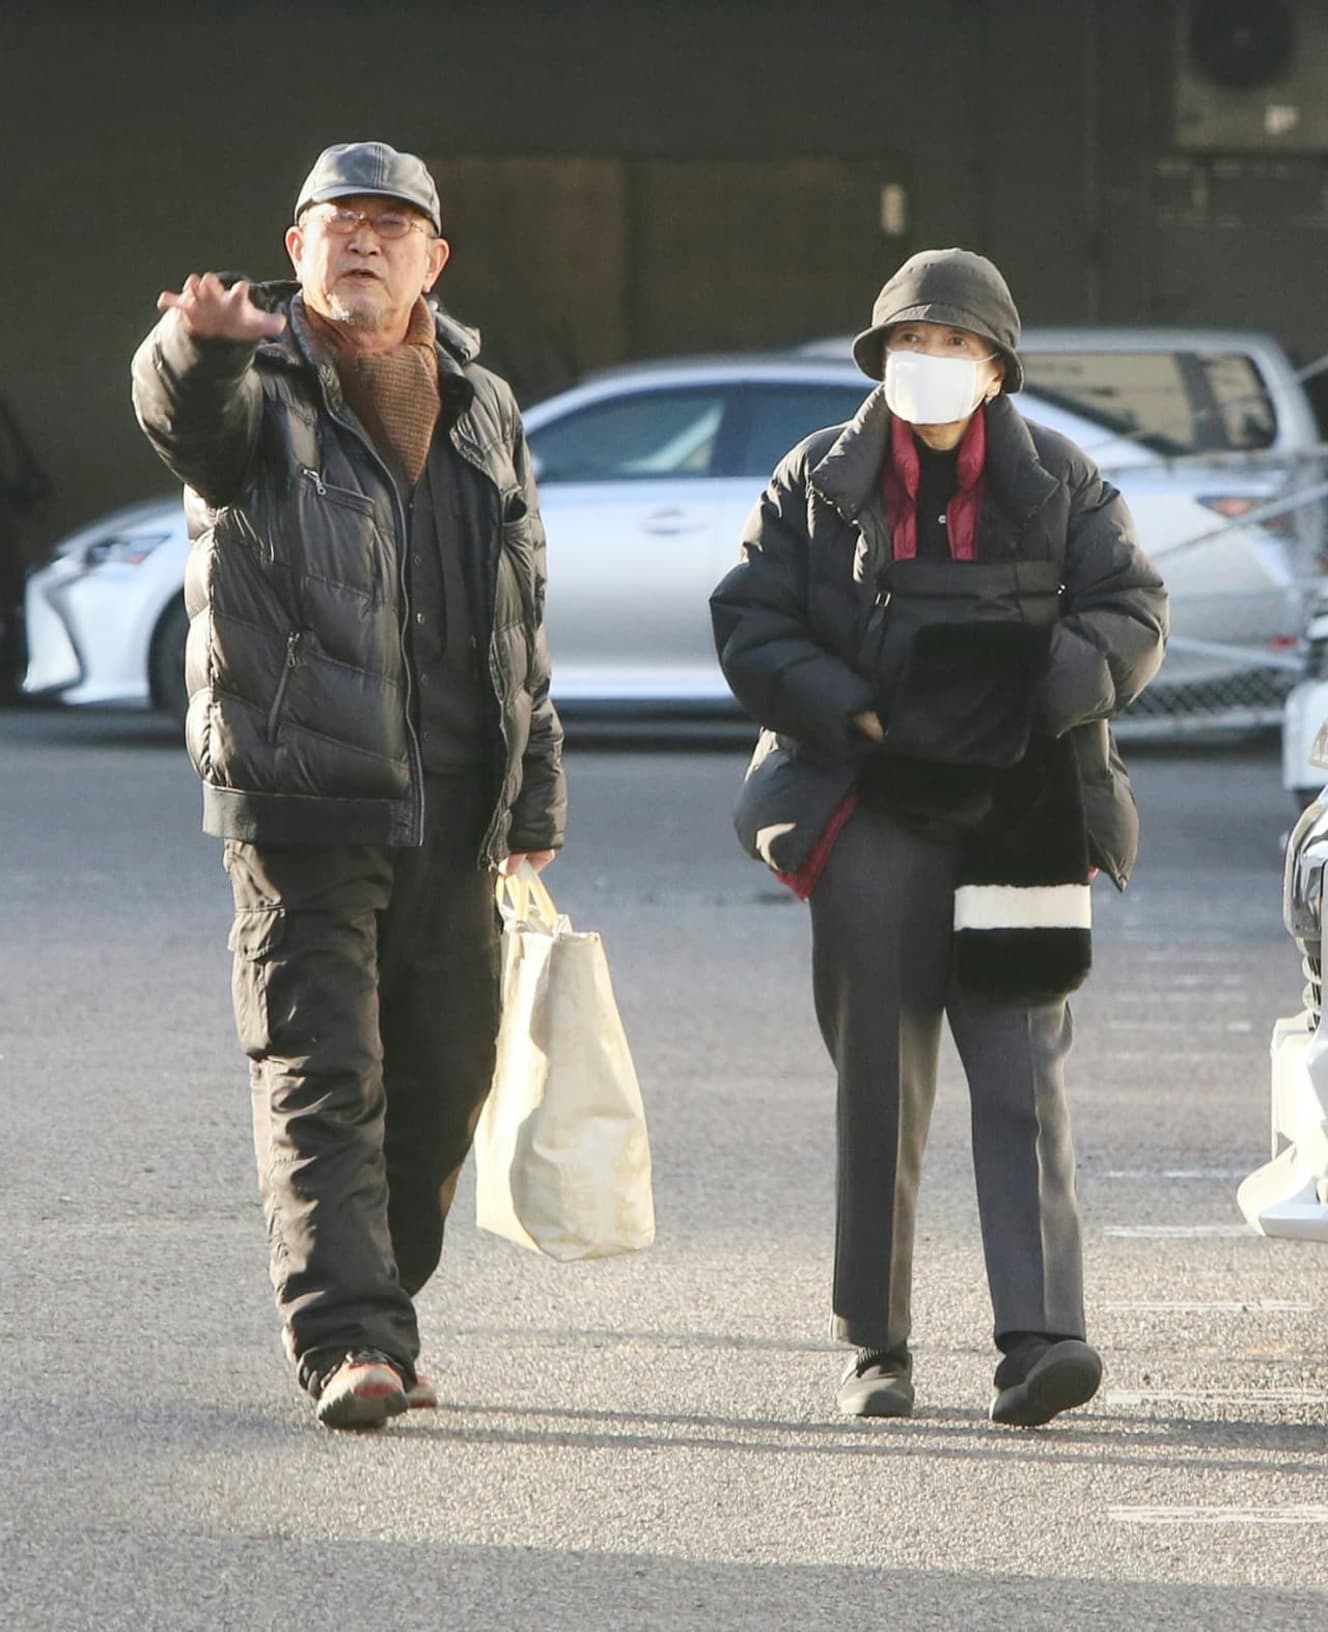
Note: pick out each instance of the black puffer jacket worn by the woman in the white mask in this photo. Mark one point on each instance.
(818, 624)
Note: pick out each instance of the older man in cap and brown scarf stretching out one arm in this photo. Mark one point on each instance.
(371, 721)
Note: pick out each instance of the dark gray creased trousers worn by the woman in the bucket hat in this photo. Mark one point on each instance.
(882, 928)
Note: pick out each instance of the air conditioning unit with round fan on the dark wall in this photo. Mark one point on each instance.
(1252, 76)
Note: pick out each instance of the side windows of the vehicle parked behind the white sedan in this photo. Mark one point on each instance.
(1172, 402)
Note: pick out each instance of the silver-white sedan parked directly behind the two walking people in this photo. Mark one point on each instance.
(647, 476)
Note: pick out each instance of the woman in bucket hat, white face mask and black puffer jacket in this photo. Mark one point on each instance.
(939, 608)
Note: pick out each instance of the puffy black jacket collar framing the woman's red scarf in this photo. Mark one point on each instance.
(849, 477)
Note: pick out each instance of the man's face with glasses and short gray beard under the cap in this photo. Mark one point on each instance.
(361, 278)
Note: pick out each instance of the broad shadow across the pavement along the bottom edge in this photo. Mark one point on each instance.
(342, 1581)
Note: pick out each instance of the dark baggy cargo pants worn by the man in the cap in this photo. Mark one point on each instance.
(366, 996)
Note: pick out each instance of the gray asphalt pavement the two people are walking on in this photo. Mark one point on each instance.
(647, 1442)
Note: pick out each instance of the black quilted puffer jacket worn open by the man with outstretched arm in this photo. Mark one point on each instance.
(296, 665)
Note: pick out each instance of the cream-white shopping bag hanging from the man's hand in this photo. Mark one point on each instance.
(562, 1156)
